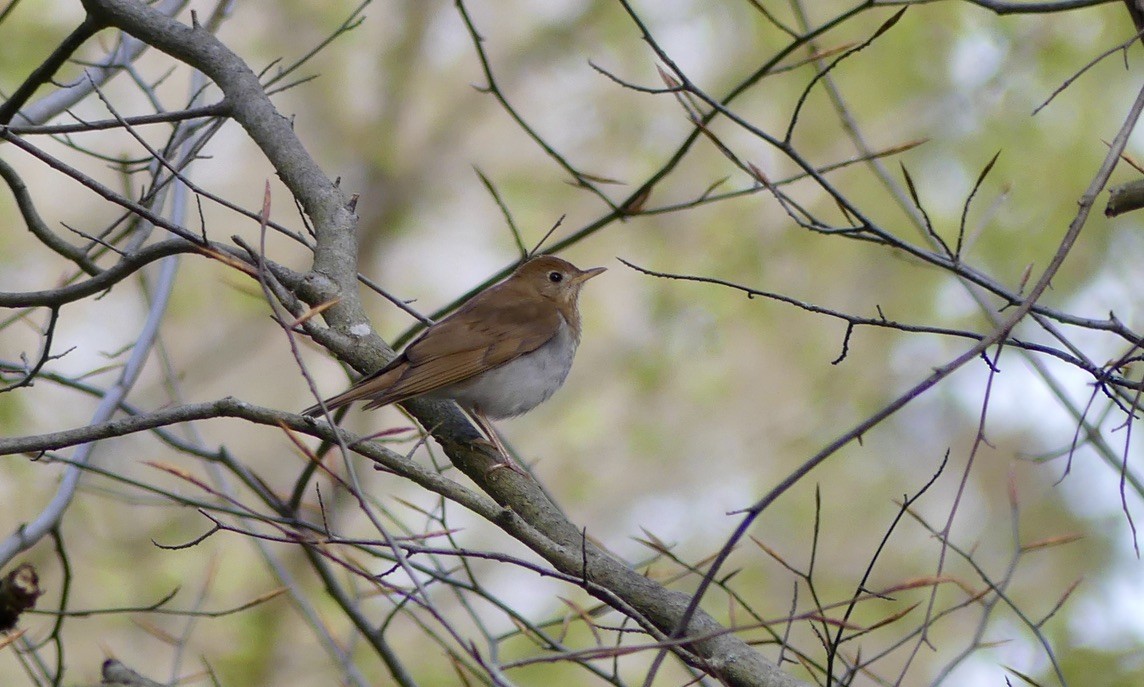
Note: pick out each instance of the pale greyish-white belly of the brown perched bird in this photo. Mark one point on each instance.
(521, 385)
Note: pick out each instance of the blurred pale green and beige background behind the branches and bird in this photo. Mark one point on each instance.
(688, 401)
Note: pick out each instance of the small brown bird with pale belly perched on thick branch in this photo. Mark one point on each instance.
(503, 354)
